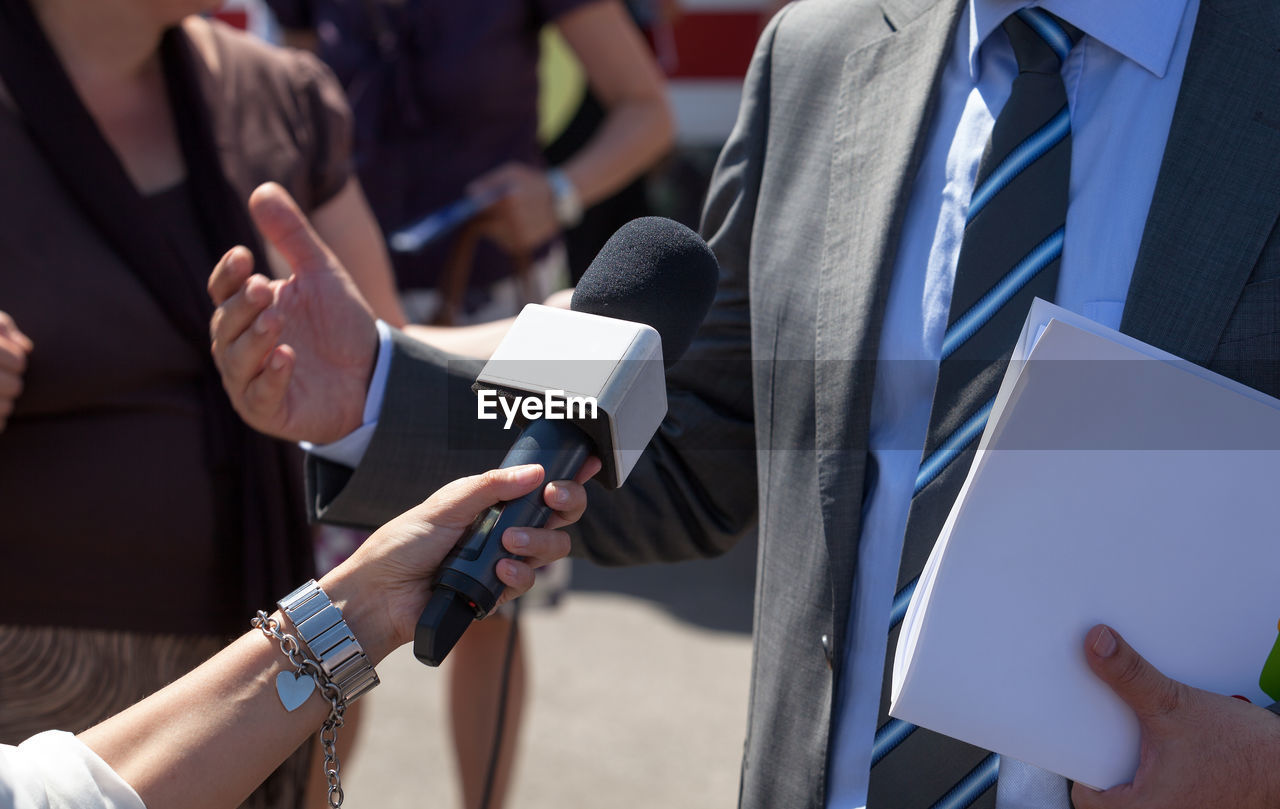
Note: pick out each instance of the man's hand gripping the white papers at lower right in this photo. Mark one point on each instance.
(1200, 749)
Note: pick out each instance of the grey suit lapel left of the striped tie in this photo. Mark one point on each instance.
(886, 88)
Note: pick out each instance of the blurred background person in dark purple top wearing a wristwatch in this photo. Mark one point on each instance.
(446, 100)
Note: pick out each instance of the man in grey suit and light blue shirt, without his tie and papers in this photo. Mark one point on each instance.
(836, 212)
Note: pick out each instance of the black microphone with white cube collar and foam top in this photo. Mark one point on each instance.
(587, 382)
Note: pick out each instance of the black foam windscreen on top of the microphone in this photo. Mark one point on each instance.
(656, 272)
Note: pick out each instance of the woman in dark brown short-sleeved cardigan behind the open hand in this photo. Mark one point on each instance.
(143, 518)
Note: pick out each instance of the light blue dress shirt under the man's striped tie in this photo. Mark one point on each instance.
(1122, 83)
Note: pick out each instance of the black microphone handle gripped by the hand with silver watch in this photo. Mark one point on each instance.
(467, 586)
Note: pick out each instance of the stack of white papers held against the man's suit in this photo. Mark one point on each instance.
(1117, 485)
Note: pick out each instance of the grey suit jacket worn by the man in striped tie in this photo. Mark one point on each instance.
(770, 409)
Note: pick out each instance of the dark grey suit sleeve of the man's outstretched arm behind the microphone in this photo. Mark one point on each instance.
(694, 491)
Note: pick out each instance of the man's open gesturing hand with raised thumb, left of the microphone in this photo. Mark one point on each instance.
(295, 355)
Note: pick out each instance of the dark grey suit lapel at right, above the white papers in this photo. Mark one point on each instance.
(1217, 198)
